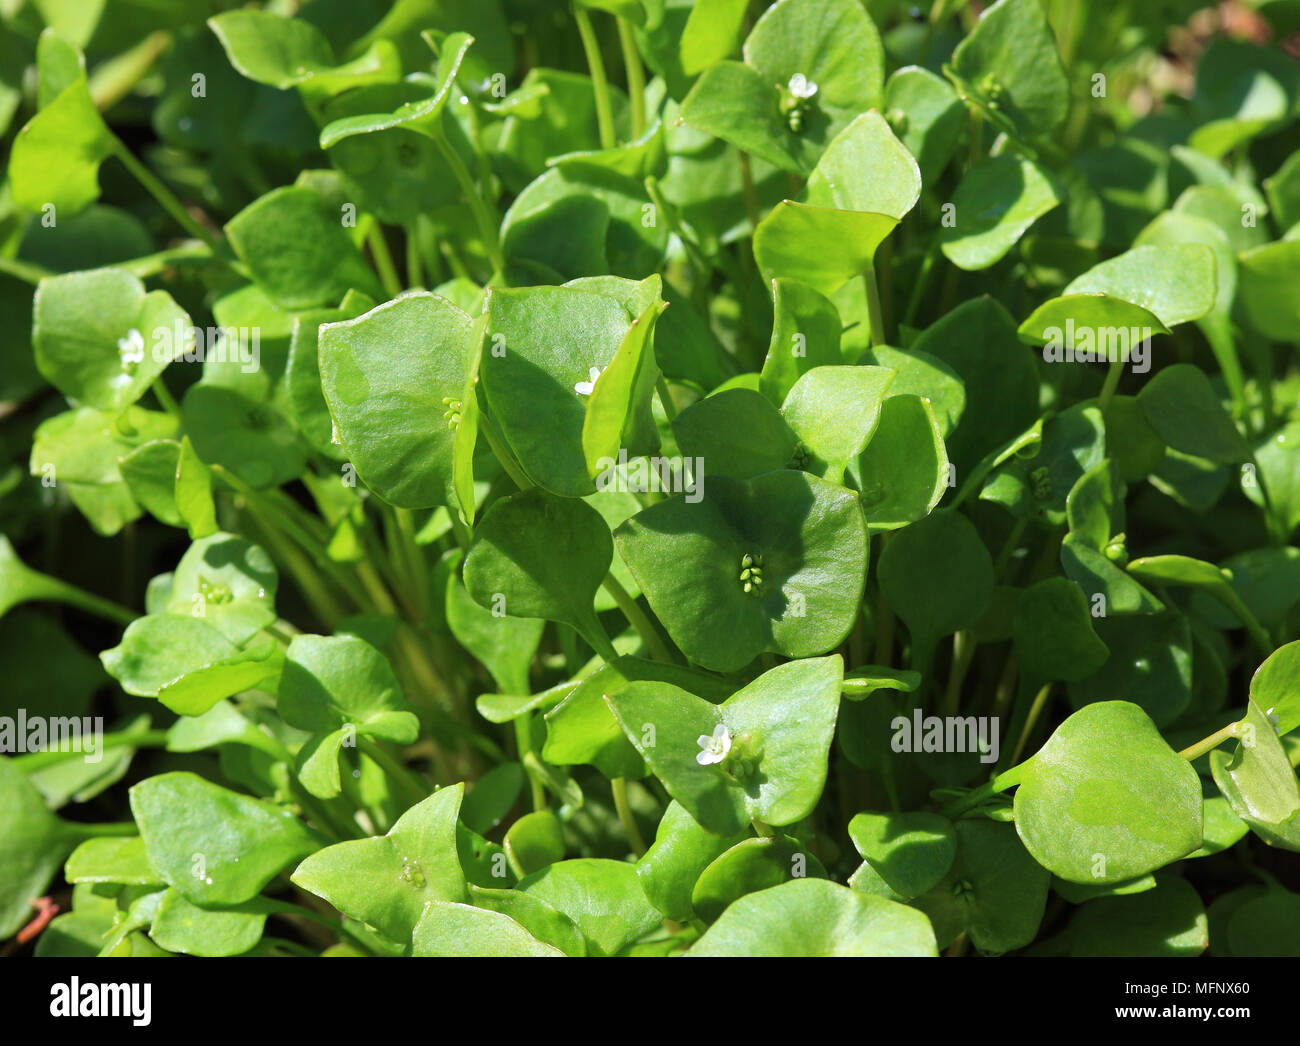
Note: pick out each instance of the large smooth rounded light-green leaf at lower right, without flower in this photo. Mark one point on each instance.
(1107, 800)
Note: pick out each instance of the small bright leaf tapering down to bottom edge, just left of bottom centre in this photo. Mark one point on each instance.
(603, 897)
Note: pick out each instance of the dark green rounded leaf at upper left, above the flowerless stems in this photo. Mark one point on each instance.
(297, 251)
